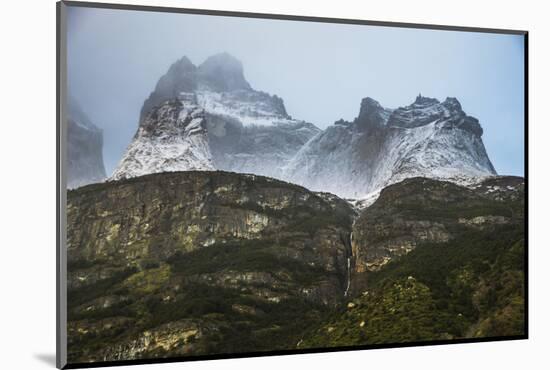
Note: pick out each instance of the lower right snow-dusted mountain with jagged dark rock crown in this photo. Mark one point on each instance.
(381, 147)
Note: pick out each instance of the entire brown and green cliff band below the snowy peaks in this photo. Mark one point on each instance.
(206, 262)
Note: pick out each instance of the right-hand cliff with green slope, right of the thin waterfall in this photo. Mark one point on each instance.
(434, 261)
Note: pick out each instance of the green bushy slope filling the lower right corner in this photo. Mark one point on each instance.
(472, 286)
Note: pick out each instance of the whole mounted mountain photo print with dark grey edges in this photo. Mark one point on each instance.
(235, 184)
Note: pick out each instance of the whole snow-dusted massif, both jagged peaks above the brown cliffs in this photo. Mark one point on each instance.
(249, 131)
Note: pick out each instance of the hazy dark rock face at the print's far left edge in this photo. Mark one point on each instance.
(84, 148)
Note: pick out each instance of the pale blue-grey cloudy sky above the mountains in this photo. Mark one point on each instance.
(322, 71)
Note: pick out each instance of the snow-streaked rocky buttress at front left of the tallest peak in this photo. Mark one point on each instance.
(172, 137)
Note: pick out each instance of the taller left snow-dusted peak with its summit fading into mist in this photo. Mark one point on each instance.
(240, 129)
